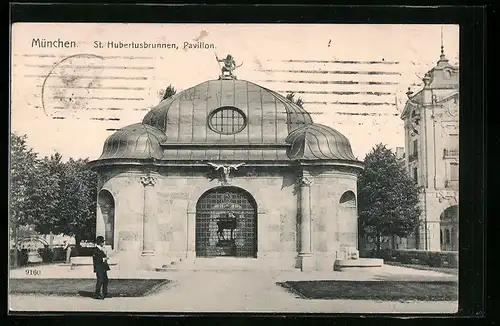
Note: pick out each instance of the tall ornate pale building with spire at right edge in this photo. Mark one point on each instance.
(431, 118)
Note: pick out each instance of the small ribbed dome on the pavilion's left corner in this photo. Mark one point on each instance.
(137, 141)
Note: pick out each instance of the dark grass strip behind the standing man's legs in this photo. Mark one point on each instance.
(85, 287)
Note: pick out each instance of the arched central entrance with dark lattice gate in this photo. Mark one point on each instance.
(226, 223)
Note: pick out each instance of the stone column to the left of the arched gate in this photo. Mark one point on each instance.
(149, 216)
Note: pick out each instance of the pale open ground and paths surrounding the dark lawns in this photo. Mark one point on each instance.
(231, 291)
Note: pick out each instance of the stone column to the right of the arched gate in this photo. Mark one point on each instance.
(305, 254)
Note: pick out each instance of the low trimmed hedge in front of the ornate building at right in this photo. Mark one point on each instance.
(418, 257)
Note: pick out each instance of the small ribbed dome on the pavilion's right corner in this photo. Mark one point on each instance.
(318, 142)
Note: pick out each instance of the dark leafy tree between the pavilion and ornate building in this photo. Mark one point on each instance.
(388, 197)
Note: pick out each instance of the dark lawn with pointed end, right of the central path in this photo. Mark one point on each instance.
(374, 290)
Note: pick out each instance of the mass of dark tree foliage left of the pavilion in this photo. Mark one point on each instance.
(52, 195)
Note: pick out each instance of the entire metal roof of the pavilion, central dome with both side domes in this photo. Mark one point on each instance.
(226, 120)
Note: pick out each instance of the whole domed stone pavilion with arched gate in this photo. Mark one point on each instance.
(231, 169)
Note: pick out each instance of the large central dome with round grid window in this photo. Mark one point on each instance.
(198, 115)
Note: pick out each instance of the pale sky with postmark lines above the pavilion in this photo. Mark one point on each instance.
(352, 78)
